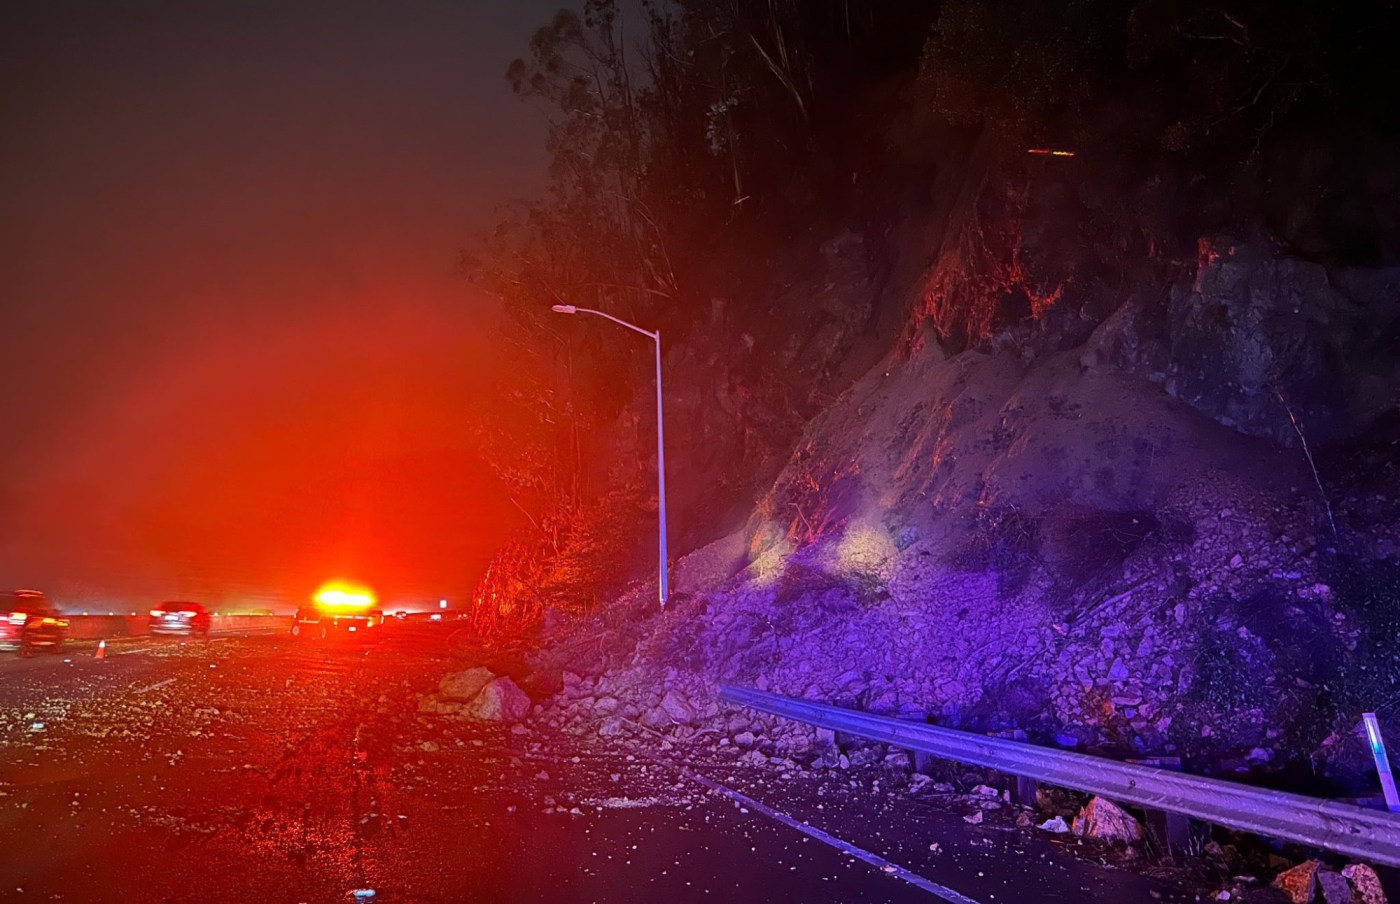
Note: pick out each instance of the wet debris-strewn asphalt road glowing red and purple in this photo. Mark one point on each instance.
(264, 769)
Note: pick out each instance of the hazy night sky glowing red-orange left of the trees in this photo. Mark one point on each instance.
(237, 356)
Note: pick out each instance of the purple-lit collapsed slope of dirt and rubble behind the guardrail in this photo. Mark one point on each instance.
(1119, 546)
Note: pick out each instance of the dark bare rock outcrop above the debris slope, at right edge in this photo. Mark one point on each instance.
(1258, 339)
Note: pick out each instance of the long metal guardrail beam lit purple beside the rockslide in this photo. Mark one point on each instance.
(1346, 829)
